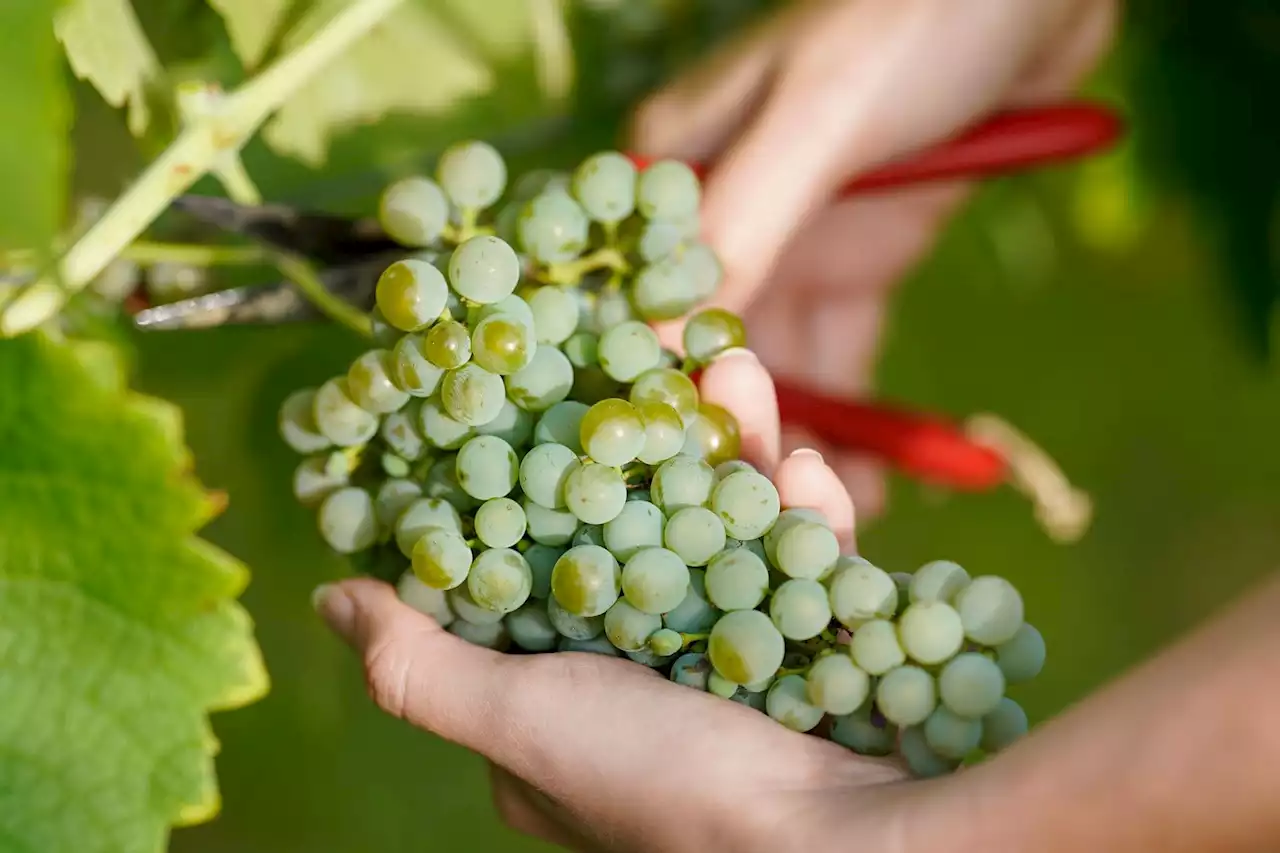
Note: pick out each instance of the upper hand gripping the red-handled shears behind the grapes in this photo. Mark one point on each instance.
(819, 94)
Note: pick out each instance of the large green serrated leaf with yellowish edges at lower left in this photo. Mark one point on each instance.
(118, 627)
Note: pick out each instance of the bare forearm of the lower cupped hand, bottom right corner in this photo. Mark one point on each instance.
(1181, 755)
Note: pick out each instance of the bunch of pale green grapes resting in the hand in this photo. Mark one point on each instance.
(543, 477)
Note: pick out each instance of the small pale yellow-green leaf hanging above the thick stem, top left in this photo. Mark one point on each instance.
(107, 47)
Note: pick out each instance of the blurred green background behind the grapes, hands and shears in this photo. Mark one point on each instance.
(1117, 312)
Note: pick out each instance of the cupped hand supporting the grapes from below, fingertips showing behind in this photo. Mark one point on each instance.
(601, 754)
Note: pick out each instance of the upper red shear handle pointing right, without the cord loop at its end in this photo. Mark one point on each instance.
(1005, 143)
